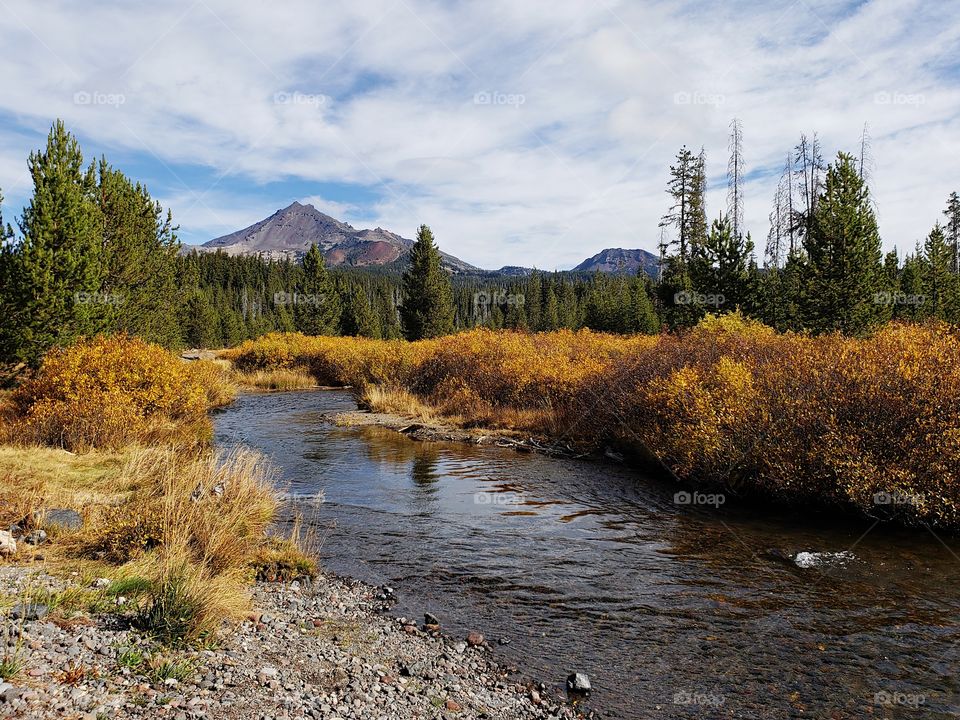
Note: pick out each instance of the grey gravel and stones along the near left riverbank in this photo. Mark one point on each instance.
(373, 670)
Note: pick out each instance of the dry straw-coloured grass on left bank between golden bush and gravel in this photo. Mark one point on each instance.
(185, 532)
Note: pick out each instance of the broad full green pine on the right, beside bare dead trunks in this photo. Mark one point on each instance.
(843, 255)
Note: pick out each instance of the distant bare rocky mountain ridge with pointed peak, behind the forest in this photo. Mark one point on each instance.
(290, 232)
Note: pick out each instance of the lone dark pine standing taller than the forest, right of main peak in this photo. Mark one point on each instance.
(427, 309)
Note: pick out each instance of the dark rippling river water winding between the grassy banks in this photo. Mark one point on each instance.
(673, 610)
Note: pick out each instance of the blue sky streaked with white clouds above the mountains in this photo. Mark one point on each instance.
(531, 133)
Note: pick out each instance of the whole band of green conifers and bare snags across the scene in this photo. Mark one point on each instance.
(93, 252)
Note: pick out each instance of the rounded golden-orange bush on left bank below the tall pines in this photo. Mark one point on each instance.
(108, 391)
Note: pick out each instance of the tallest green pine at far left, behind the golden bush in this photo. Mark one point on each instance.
(57, 268)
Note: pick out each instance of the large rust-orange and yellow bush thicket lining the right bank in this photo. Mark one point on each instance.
(870, 423)
